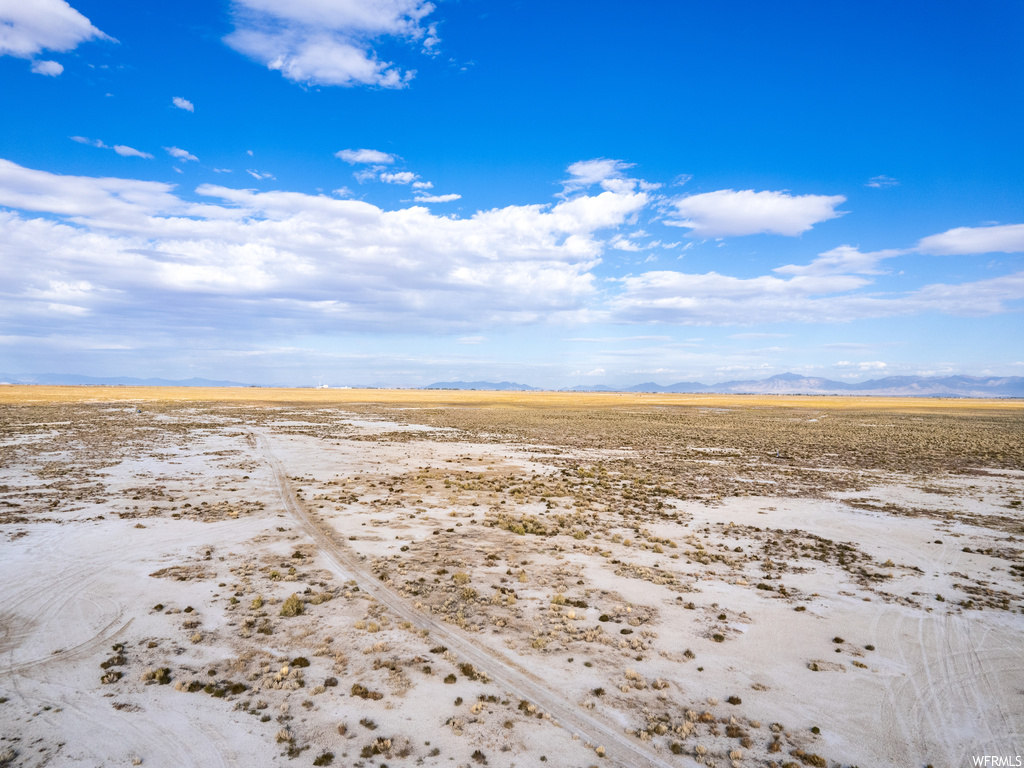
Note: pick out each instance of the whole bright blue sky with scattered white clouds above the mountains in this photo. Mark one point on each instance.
(402, 192)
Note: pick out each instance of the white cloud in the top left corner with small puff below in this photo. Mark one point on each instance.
(29, 27)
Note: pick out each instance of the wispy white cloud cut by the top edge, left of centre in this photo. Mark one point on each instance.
(330, 44)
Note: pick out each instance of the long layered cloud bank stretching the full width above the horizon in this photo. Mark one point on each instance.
(133, 258)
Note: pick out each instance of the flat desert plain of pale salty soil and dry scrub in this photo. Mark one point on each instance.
(352, 578)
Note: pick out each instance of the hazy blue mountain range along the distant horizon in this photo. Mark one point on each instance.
(901, 387)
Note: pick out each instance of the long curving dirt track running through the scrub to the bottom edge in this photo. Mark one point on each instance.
(503, 671)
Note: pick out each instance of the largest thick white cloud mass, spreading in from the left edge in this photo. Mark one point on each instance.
(288, 261)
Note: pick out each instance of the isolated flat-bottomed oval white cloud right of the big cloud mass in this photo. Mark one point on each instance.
(728, 212)
